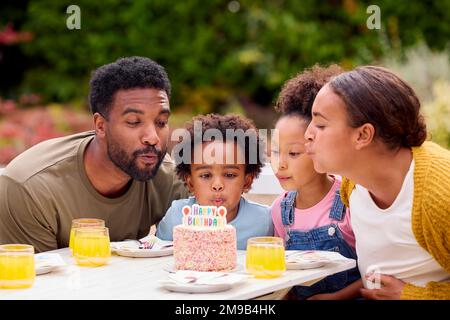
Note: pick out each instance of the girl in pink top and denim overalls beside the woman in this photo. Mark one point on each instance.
(310, 216)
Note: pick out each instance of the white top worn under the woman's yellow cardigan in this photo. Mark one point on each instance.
(385, 242)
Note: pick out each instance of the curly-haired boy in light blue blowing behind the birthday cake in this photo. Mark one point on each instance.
(217, 180)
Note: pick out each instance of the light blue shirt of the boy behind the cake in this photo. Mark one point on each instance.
(252, 220)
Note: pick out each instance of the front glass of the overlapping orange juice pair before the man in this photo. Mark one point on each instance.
(91, 246)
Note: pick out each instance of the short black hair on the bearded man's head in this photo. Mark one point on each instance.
(124, 74)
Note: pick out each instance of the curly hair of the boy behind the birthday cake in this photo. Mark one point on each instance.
(222, 123)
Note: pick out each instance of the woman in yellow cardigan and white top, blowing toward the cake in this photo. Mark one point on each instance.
(367, 127)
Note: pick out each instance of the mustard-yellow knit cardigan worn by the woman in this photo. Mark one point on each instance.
(430, 213)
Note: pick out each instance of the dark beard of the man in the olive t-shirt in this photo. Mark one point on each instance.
(129, 164)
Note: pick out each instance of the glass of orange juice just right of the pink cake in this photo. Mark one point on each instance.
(265, 257)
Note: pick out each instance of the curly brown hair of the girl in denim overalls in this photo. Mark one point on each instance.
(298, 94)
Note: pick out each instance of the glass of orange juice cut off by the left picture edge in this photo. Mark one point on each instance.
(16, 266)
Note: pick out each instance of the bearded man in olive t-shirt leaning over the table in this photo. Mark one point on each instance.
(119, 172)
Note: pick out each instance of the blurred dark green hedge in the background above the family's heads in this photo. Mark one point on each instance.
(202, 44)
